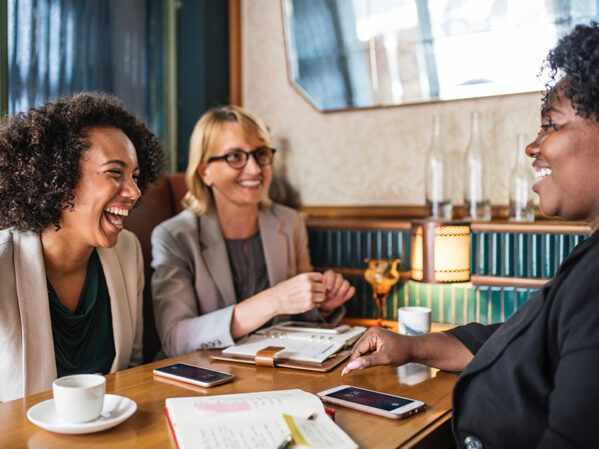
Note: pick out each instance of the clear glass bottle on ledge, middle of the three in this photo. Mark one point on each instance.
(477, 205)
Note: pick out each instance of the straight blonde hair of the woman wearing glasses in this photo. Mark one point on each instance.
(199, 199)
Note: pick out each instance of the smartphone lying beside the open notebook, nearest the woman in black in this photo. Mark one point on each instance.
(387, 405)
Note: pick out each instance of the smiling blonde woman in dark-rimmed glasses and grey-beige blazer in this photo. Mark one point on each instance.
(233, 261)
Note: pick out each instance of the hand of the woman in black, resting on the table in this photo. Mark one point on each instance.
(379, 347)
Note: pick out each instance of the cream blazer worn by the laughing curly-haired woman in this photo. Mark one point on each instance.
(27, 361)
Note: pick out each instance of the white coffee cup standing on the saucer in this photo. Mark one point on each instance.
(80, 397)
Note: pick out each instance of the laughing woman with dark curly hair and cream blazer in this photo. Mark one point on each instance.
(71, 277)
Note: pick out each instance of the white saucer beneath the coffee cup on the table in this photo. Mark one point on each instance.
(116, 410)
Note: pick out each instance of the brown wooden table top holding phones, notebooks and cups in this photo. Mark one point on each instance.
(148, 427)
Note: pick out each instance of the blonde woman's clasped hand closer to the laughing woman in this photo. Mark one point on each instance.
(300, 293)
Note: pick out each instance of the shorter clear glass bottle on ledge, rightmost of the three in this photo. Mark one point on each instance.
(521, 206)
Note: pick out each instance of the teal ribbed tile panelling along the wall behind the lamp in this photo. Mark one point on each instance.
(492, 253)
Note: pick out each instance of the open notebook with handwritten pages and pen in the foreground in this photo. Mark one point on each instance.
(254, 420)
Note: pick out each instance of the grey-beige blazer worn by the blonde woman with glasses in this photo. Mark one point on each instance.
(192, 284)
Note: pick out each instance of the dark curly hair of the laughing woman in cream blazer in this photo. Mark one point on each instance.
(40, 151)
